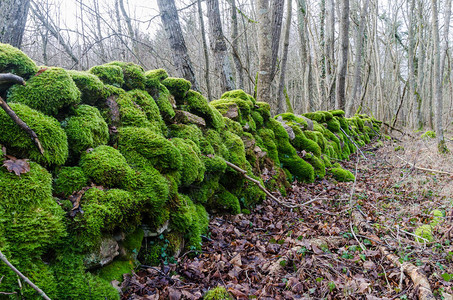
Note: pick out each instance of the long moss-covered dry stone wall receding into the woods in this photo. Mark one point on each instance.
(134, 163)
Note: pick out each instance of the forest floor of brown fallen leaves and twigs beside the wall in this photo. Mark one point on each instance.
(320, 250)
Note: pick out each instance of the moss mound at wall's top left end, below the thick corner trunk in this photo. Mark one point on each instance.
(12, 60)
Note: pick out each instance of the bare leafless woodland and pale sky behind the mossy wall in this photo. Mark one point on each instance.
(388, 58)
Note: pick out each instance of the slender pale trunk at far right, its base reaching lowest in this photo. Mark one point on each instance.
(437, 79)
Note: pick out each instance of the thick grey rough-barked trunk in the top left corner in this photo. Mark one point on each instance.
(13, 17)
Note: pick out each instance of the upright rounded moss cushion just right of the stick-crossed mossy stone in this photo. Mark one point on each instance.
(85, 129)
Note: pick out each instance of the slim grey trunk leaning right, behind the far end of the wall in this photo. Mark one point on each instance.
(358, 63)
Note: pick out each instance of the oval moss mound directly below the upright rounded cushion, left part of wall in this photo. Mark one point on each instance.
(105, 166)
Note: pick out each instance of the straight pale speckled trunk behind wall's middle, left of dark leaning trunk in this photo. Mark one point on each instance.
(264, 52)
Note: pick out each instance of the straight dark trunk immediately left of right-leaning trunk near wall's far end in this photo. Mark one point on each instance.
(344, 42)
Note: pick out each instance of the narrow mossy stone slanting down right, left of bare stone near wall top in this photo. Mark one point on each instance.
(149, 107)
